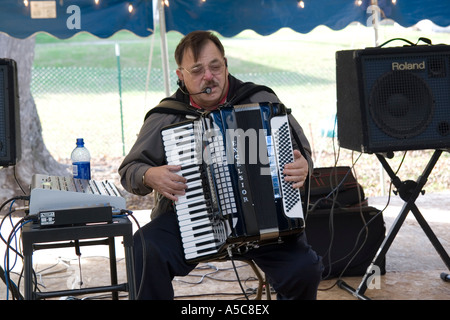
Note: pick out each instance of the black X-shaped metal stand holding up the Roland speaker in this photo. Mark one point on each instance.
(408, 191)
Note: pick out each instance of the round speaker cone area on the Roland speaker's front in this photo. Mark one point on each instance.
(401, 104)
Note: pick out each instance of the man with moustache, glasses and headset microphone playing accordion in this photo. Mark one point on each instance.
(291, 267)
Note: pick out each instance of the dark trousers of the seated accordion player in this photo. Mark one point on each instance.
(292, 267)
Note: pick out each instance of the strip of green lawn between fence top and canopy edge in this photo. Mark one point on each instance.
(247, 52)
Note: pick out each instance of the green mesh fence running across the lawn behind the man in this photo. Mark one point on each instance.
(106, 107)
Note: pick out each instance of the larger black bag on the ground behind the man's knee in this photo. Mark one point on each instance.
(346, 238)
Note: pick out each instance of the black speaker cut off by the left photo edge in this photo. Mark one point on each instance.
(9, 114)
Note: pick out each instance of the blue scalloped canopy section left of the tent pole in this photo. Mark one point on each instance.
(63, 18)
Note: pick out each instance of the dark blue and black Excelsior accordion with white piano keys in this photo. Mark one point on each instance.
(233, 160)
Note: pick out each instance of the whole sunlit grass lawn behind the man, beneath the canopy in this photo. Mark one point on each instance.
(76, 85)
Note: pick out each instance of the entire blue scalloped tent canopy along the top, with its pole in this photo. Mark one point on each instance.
(65, 18)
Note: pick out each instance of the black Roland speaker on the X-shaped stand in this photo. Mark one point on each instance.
(393, 99)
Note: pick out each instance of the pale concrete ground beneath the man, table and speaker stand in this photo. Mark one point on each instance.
(413, 266)
